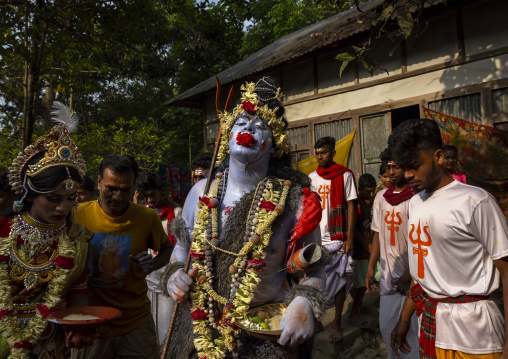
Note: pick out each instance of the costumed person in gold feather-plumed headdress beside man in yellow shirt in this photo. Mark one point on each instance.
(43, 260)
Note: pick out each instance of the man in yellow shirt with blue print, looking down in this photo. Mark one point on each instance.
(119, 262)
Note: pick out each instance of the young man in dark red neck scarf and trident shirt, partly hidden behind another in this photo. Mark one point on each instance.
(389, 246)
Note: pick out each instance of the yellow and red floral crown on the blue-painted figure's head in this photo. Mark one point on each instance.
(258, 106)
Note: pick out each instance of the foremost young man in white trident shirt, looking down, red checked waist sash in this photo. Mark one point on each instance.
(458, 250)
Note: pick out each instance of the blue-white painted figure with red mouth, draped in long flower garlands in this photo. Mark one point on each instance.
(249, 231)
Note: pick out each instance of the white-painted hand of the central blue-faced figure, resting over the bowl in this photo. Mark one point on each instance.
(297, 324)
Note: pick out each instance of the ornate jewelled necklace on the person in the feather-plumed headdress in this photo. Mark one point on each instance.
(36, 235)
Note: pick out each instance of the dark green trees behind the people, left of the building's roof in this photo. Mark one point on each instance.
(117, 62)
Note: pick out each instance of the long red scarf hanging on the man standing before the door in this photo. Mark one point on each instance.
(338, 211)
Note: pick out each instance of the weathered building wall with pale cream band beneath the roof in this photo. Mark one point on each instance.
(456, 63)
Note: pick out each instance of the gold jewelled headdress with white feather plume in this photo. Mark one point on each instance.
(59, 150)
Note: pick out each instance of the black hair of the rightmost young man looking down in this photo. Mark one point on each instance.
(411, 137)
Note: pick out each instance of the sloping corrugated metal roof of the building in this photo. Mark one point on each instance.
(301, 42)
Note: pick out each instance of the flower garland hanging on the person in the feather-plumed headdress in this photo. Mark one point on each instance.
(20, 337)
